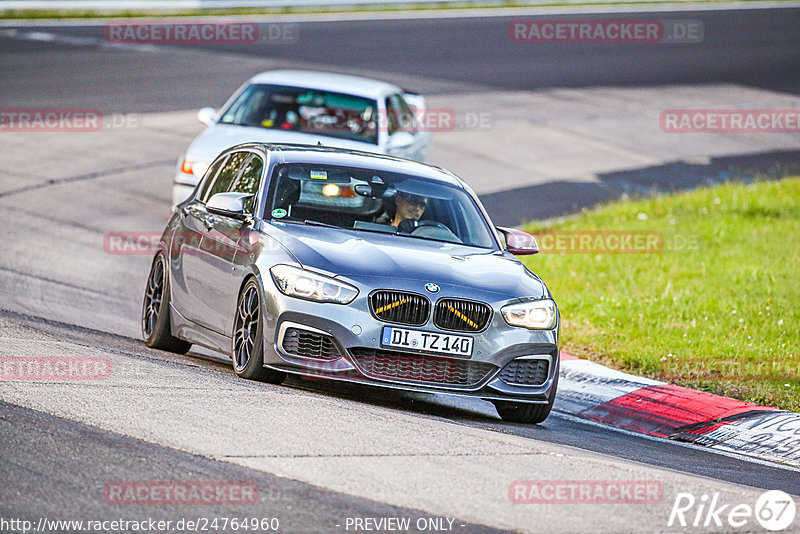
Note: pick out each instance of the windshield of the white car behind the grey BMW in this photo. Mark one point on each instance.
(305, 110)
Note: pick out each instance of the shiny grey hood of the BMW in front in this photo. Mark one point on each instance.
(368, 257)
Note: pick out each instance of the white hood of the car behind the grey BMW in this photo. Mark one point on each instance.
(210, 143)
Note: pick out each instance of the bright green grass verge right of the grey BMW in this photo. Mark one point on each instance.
(717, 309)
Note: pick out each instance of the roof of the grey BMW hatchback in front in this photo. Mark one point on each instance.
(287, 153)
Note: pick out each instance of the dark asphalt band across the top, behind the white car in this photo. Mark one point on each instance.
(756, 47)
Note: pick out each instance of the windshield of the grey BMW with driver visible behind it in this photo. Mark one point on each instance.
(376, 201)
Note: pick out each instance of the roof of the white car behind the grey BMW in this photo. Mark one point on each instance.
(327, 81)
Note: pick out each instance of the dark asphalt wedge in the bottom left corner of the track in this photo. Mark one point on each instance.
(93, 455)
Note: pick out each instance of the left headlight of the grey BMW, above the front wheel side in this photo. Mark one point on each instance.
(303, 284)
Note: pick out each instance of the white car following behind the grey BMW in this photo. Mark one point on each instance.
(310, 108)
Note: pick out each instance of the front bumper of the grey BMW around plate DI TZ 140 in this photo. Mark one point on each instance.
(355, 332)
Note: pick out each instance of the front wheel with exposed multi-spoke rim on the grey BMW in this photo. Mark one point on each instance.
(247, 350)
